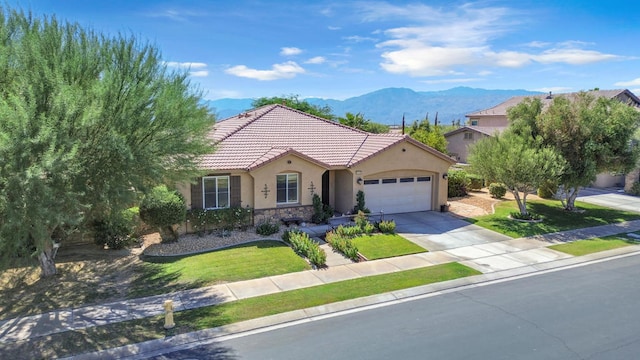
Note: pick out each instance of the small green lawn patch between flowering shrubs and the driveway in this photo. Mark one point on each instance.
(379, 246)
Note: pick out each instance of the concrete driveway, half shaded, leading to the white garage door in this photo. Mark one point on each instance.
(441, 231)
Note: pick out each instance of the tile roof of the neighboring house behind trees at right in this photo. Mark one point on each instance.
(501, 109)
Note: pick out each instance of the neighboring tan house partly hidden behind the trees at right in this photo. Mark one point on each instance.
(492, 120)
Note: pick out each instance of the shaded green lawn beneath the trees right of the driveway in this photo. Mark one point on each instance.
(555, 218)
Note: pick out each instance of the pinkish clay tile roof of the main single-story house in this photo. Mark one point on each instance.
(254, 138)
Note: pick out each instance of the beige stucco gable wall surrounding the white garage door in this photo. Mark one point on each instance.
(405, 159)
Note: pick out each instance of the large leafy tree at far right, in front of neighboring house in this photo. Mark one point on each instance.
(592, 134)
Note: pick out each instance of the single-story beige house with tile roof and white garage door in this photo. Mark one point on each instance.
(274, 159)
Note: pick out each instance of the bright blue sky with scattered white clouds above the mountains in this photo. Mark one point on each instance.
(339, 49)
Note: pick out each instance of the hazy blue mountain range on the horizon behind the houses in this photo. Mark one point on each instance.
(388, 106)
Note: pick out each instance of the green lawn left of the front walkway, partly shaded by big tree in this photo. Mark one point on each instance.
(249, 261)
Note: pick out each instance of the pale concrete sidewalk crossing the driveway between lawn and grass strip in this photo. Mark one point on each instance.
(487, 256)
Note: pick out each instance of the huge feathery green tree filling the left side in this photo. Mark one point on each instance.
(86, 121)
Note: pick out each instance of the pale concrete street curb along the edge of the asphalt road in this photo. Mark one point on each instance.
(201, 337)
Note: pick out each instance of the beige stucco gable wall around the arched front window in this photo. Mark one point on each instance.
(307, 171)
